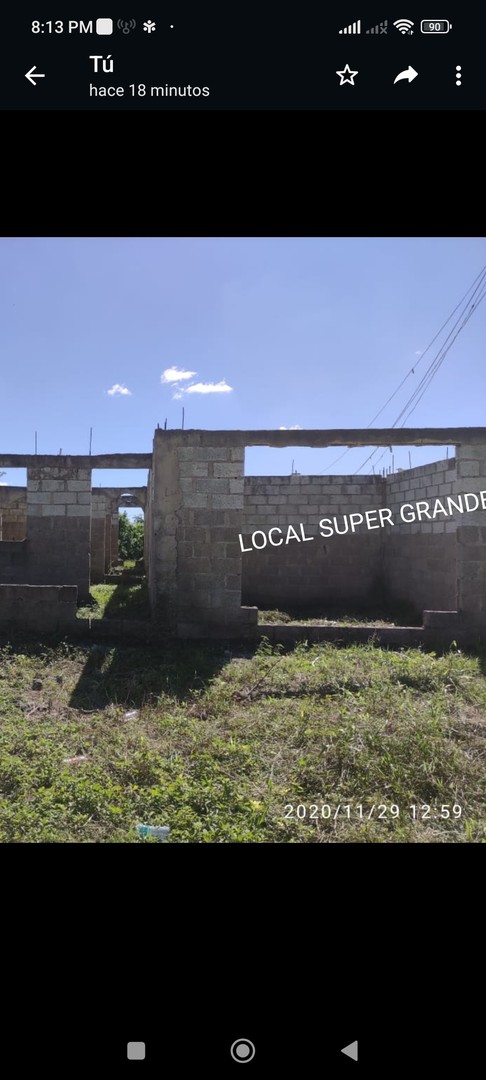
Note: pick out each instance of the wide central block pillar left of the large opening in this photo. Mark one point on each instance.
(197, 516)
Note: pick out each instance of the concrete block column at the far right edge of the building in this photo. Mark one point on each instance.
(471, 536)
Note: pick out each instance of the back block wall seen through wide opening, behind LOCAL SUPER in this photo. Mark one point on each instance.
(323, 573)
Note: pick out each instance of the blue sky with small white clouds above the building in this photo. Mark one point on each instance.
(316, 333)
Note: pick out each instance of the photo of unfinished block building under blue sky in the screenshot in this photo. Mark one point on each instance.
(242, 541)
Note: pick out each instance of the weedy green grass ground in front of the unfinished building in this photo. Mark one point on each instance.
(224, 742)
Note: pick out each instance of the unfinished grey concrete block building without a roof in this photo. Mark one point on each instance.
(59, 535)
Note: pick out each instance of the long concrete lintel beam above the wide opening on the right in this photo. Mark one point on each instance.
(354, 437)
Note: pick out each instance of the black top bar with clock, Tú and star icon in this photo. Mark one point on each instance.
(244, 58)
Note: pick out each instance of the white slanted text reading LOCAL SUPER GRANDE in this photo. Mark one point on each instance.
(408, 514)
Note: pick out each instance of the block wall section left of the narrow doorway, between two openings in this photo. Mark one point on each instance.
(59, 526)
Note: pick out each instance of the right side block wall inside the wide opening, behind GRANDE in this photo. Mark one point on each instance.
(421, 557)
